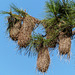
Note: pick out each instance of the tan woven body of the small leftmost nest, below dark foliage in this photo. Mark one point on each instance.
(14, 31)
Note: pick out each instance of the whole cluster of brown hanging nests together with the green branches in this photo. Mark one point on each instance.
(58, 31)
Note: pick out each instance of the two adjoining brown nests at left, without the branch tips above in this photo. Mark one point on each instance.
(21, 32)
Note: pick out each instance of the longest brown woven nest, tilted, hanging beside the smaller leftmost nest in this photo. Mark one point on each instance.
(25, 31)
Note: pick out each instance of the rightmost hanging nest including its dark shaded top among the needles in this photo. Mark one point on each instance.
(65, 39)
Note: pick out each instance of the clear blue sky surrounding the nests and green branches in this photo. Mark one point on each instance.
(12, 63)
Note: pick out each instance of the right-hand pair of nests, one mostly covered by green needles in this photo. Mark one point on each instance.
(58, 33)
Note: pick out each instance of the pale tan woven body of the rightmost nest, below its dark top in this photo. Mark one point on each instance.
(64, 44)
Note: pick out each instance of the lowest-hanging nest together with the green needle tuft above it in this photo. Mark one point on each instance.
(43, 59)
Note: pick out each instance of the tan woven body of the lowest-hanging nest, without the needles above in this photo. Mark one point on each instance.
(43, 60)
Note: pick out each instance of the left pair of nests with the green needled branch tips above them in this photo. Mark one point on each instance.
(20, 26)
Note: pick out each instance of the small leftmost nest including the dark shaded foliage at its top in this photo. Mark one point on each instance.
(14, 27)
